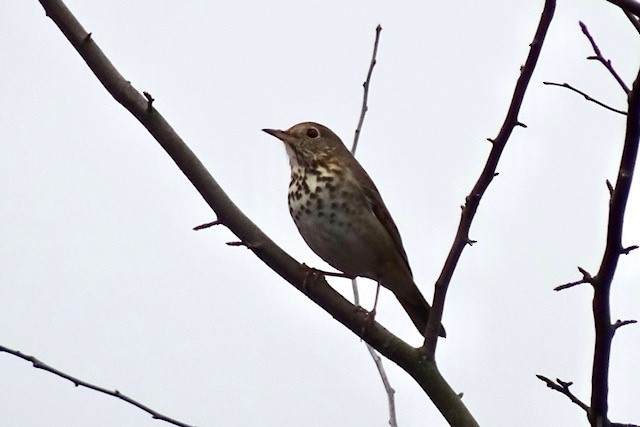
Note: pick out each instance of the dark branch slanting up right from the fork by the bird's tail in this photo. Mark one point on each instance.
(473, 199)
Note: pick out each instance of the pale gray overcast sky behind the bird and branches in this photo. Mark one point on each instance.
(102, 277)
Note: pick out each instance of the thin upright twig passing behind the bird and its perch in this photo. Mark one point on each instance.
(393, 421)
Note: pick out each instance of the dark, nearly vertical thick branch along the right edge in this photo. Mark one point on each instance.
(613, 250)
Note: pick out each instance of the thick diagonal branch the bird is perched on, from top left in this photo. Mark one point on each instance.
(408, 358)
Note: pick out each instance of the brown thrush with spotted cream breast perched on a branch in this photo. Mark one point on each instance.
(341, 216)
